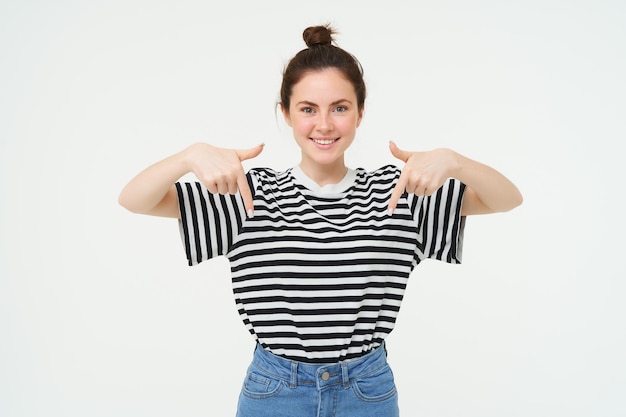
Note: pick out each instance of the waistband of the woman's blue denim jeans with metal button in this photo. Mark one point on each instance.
(321, 375)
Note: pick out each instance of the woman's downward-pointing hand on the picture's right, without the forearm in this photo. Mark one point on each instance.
(423, 173)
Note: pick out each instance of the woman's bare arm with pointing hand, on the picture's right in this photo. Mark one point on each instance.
(488, 191)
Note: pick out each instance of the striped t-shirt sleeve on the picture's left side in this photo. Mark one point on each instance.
(208, 223)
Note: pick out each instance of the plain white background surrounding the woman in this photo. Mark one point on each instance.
(100, 314)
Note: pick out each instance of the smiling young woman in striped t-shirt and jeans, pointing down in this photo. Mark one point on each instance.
(320, 253)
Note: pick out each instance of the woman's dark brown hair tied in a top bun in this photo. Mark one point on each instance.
(321, 54)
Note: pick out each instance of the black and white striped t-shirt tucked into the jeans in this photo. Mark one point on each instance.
(319, 273)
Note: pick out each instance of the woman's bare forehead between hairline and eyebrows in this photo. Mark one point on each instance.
(326, 85)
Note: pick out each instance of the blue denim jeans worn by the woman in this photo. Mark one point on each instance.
(279, 387)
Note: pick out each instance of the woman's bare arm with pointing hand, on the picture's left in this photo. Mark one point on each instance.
(153, 192)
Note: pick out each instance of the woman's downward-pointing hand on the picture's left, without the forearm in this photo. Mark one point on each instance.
(221, 169)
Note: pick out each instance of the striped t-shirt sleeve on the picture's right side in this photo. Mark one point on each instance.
(440, 225)
